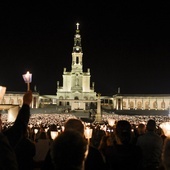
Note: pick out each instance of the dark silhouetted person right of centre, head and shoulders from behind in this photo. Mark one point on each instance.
(123, 154)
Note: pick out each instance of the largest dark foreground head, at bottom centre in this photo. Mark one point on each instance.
(68, 151)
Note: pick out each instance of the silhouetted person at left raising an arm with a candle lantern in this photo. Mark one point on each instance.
(11, 137)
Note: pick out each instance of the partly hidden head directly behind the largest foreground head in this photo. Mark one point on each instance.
(74, 124)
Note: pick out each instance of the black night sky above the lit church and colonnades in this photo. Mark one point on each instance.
(125, 44)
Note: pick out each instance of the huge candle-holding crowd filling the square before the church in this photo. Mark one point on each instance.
(132, 142)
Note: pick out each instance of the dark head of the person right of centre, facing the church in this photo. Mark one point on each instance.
(123, 132)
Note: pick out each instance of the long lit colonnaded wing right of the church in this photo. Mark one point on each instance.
(133, 103)
